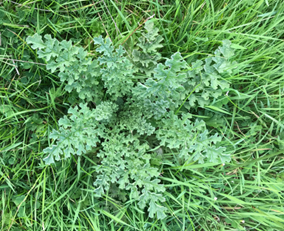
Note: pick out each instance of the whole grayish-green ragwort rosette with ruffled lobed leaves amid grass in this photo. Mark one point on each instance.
(129, 120)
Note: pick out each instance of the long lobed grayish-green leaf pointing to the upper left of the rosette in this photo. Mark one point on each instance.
(81, 73)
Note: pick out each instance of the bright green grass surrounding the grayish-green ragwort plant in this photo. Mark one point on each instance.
(246, 194)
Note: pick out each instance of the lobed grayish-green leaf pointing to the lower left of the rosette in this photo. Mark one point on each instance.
(76, 135)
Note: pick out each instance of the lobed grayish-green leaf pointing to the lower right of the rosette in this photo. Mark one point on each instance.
(192, 140)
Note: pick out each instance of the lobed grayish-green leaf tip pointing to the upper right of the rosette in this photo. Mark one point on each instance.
(208, 77)
